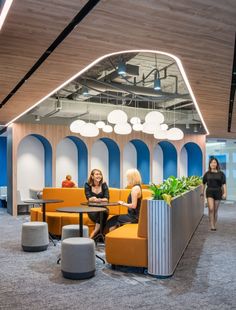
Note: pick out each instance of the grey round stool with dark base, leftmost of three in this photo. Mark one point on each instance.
(34, 236)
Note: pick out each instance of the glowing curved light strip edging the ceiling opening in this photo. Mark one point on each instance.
(177, 60)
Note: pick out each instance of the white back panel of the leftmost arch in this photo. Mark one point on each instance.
(30, 166)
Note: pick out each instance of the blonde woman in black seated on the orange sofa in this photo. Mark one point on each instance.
(133, 202)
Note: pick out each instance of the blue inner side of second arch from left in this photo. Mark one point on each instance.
(82, 160)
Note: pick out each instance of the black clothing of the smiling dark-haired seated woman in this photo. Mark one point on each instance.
(95, 216)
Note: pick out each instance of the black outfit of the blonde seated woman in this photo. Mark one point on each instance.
(131, 217)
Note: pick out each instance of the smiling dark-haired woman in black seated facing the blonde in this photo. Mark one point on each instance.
(97, 191)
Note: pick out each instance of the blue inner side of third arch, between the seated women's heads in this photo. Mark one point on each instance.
(114, 162)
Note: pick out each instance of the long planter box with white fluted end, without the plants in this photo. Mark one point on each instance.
(170, 230)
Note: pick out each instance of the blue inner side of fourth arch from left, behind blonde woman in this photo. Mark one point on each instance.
(143, 159)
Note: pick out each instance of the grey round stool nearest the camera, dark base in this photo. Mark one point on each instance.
(78, 258)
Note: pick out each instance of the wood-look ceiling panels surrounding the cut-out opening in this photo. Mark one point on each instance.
(201, 33)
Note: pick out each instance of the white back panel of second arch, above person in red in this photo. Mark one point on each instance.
(66, 161)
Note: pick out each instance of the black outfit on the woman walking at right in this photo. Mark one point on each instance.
(214, 181)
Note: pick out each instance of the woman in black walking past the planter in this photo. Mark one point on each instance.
(215, 181)
